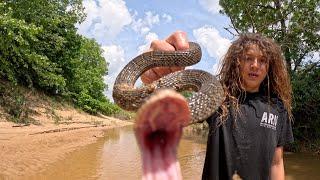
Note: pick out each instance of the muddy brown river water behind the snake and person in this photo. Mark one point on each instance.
(117, 156)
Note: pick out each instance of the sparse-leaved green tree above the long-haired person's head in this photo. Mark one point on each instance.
(295, 25)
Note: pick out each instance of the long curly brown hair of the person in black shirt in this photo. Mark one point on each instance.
(277, 80)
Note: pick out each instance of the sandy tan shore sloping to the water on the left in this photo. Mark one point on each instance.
(30, 149)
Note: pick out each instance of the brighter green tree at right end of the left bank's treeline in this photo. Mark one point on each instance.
(86, 84)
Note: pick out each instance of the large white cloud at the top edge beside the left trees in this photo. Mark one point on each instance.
(105, 19)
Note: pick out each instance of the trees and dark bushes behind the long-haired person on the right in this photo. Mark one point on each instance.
(295, 25)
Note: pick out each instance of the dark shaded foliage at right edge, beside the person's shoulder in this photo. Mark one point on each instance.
(307, 104)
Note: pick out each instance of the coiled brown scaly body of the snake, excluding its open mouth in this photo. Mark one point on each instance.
(204, 101)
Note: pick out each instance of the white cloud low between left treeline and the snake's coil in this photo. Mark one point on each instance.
(115, 56)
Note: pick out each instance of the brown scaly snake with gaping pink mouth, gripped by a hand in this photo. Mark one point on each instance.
(162, 112)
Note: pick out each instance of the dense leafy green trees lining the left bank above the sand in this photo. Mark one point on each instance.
(40, 48)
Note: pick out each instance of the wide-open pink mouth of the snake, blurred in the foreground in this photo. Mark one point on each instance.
(158, 130)
